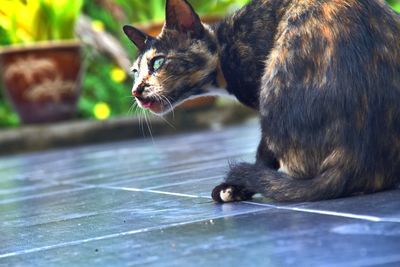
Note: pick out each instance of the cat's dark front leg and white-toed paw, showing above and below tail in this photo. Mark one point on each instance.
(226, 192)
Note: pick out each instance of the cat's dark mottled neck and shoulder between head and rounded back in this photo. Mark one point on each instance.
(245, 39)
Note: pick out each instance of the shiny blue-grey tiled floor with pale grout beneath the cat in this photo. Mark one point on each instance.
(147, 203)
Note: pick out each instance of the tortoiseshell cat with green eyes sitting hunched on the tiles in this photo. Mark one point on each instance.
(323, 74)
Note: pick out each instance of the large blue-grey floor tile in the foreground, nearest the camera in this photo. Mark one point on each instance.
(268, 238)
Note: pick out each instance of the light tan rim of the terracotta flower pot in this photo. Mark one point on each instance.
(39, 46)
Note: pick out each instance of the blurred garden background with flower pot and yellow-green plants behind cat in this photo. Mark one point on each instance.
(65, 60)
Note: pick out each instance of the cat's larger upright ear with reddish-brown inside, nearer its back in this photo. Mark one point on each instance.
(181, 16)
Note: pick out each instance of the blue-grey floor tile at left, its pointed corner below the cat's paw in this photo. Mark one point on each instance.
(78, 215)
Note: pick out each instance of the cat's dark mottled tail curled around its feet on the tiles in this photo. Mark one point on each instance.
(281, 187)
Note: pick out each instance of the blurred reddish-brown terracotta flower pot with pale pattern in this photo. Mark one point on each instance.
(42, 81)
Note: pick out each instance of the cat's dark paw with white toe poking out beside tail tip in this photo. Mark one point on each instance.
(228, 193)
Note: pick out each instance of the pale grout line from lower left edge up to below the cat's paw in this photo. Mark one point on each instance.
(104, 237)
